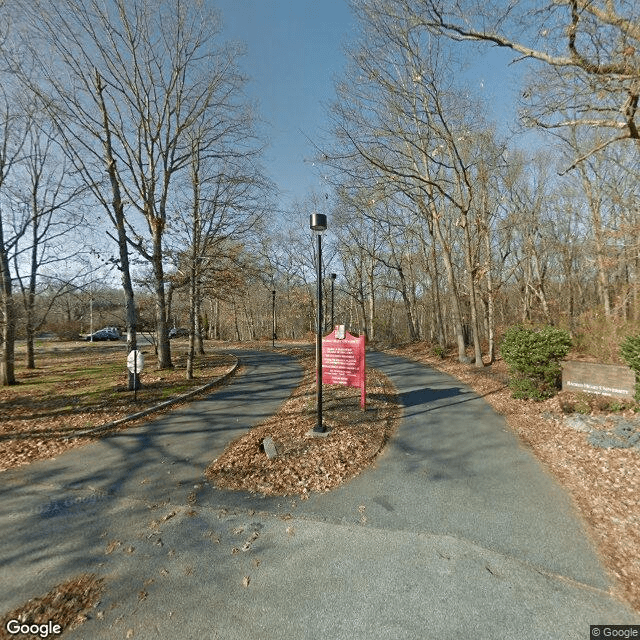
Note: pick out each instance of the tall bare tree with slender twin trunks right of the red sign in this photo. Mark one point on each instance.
(409, 122)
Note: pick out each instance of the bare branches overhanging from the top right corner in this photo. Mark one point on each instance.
(588, 50)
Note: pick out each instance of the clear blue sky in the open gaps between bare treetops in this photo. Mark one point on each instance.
(295, 50)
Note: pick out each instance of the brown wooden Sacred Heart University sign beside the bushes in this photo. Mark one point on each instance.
(602, 379)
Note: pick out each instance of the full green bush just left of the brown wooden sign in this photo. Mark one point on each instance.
(533, 358)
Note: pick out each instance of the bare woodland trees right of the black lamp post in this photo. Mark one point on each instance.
(470, 232)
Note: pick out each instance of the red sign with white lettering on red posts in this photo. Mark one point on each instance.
(343, 360)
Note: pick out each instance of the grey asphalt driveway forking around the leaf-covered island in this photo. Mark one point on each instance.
(456, 532)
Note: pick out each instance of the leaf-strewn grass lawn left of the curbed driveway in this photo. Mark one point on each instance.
(78, 385)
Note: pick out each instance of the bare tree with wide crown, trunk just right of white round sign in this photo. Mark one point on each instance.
(141, 75)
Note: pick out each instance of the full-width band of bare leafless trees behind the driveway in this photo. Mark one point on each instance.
(441, 228)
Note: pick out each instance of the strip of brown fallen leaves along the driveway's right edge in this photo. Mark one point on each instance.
(604, 483)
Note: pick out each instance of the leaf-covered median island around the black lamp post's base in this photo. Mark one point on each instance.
(294, 462)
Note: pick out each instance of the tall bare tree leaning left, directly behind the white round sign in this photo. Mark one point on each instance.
(71, 89)
